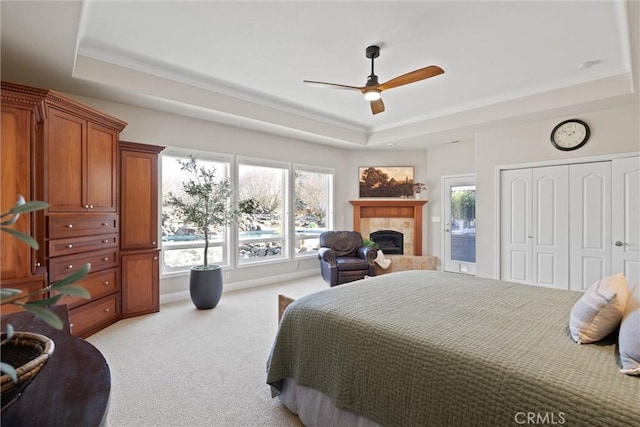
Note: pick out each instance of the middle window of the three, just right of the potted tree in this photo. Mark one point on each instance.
(262, 195)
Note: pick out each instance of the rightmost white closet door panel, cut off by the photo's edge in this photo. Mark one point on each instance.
(625, 214)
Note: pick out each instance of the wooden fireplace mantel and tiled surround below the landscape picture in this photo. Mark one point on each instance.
(403, 215)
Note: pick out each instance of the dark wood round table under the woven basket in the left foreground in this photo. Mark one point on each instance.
(73, 387)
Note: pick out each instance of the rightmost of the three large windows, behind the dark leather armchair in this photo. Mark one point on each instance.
(313, 207)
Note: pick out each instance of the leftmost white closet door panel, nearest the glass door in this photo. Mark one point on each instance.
(515, 216)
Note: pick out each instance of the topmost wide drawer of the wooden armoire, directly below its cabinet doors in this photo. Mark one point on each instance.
(74, 225)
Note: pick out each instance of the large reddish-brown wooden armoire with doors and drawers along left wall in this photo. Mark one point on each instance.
(57, 150)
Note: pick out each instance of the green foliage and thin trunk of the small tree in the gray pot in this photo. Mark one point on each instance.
(207, 201)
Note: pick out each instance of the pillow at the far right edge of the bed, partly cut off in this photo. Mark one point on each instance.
(629, 336)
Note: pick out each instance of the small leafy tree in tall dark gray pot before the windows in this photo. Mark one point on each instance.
(205, 205)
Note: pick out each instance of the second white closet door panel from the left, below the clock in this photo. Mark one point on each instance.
(550, 227)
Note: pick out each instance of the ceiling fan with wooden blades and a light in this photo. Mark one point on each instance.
(372, 89)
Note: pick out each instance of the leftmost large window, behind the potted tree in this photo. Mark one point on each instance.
(181, 247)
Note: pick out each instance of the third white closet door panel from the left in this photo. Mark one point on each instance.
(589, 223)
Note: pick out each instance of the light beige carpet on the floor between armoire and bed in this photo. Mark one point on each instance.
(189, 367)
